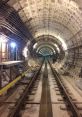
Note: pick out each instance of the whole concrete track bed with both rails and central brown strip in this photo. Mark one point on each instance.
(46, 94)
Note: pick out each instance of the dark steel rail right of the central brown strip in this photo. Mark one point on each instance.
(65, 94)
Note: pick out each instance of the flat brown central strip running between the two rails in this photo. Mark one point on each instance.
(45, 104)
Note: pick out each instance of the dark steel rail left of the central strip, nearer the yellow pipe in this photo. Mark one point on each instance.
(20, 103)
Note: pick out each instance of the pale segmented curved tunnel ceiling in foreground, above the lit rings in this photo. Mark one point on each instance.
(60, 18)
